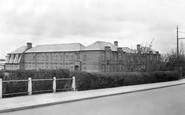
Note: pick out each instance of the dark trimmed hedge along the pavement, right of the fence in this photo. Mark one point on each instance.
(88, 81)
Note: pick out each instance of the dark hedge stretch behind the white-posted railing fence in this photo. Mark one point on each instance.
(13, 87)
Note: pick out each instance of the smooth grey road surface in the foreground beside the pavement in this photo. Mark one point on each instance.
(163, 101)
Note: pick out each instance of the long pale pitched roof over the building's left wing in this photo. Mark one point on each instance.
(56, 48)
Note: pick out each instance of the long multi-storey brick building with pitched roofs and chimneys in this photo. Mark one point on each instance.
(97, 57)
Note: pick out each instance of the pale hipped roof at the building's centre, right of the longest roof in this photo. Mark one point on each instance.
(100, 45)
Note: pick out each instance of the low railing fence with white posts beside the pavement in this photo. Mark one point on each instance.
(30, 83)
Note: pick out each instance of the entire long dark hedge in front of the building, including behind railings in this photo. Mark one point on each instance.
(84, 80)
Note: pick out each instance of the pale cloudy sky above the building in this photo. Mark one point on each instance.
(130, 22)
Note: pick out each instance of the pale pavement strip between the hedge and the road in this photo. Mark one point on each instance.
(44, 100)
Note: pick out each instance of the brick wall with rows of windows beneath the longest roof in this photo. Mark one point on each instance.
(52, 60)
